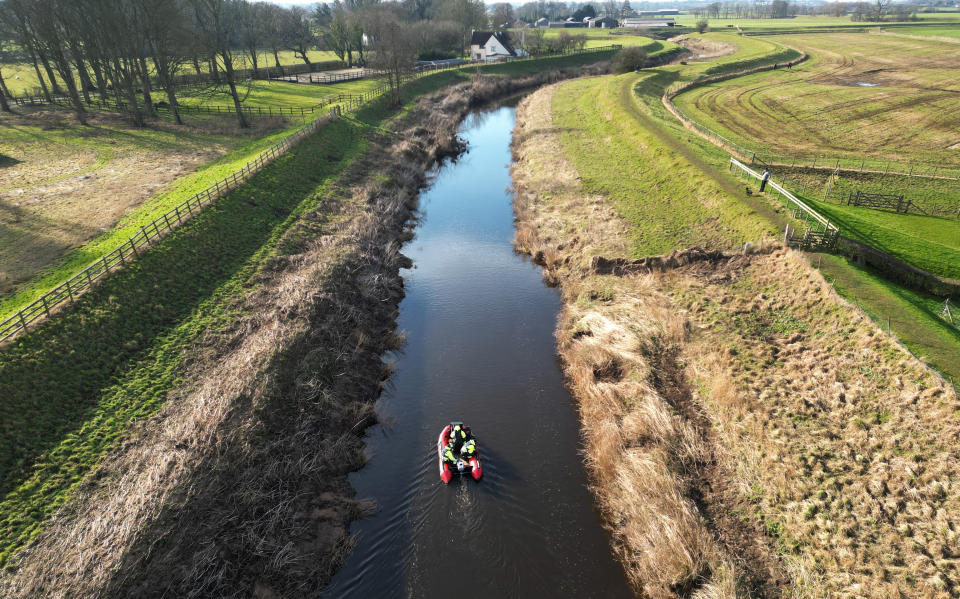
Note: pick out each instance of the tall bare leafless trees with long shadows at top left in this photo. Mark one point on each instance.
(121, 48)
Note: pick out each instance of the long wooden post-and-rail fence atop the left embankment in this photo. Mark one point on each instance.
(83, 281)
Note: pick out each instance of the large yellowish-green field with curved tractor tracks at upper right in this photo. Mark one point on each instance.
(823, 109)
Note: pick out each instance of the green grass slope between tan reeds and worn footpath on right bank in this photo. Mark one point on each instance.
(617, 161)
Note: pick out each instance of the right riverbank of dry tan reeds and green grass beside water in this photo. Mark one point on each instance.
(750, 433)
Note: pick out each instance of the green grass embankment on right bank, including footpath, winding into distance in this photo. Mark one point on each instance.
(616, 160)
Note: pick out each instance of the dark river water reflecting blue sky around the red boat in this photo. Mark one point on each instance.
(480, 348)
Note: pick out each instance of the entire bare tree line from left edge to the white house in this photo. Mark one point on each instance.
(128, 51)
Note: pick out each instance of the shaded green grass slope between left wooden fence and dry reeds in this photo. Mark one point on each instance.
(73, 386)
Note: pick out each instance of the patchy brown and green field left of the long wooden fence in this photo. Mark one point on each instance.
(41, 252)
